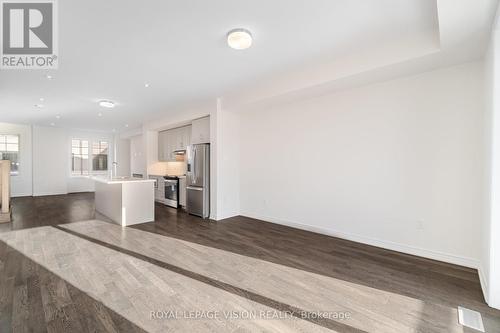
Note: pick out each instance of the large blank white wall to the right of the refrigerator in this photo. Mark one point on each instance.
(397, 164)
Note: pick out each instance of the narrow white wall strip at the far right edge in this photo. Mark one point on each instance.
(490, 260)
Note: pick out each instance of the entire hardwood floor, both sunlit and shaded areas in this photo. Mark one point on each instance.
(62, 269)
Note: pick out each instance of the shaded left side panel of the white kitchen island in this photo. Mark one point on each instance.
(108, 200)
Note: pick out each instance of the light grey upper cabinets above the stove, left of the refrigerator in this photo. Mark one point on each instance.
(172, 140)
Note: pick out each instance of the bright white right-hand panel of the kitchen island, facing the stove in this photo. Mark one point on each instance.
(138, 202)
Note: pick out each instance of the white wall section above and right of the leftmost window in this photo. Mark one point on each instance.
(21, 184)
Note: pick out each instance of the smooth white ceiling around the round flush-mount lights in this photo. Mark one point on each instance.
(109, 49)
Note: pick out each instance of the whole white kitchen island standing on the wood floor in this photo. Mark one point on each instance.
(126, 201)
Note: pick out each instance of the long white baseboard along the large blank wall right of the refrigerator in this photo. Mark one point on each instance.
(389, 245)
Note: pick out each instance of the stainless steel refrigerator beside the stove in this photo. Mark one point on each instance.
(198, 180)
